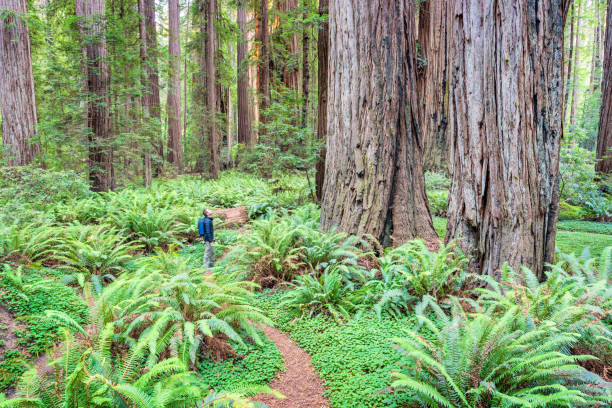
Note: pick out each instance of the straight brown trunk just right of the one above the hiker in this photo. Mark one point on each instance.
(244, 123)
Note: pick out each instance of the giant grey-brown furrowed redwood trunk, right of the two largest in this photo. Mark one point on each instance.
(506, 127)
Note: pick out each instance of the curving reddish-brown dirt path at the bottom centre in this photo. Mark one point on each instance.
(299, 383)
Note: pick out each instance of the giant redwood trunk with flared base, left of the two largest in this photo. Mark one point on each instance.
(374, 180)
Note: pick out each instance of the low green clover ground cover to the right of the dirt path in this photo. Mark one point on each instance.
(354, 359)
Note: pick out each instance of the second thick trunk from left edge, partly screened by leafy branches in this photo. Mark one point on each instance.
(92, 13)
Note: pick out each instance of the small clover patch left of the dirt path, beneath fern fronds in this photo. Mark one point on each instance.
(256, 365)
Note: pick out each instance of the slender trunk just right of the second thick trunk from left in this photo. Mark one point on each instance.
(147, 96)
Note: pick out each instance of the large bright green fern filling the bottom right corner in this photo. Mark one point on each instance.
(456, 361)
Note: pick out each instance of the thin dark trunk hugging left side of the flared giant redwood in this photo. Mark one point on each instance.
(322, 51)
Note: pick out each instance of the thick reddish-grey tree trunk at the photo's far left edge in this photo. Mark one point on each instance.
(16, 86)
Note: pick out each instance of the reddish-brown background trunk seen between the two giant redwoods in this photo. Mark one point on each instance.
(435, 39)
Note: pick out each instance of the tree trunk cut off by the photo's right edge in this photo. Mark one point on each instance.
(604, 138)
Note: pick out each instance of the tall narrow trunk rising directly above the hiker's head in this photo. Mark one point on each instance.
(211, 88)
